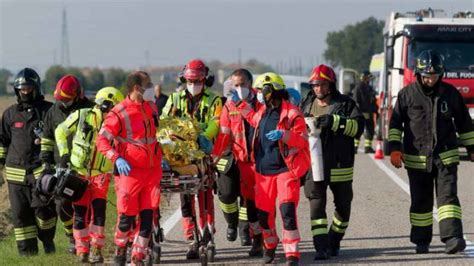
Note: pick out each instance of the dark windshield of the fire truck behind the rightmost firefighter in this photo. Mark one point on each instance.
(457, 56)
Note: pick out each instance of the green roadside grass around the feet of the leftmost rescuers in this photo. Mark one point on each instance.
(9, 253)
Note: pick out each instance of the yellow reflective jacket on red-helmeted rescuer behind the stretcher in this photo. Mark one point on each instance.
(207, 112)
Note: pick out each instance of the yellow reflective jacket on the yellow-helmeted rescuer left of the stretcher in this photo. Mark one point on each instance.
(84, 125)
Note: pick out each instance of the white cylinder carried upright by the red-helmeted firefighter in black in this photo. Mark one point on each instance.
(315, 150)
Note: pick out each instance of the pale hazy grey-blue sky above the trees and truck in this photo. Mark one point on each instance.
(107, 33)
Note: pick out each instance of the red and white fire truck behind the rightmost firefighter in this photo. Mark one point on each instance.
(406, 35)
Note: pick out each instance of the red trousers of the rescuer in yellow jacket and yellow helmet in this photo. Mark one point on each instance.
(91, 232)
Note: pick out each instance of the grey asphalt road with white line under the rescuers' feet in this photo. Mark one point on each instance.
(378, 232)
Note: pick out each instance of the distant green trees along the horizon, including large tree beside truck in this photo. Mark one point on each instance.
(351, 47)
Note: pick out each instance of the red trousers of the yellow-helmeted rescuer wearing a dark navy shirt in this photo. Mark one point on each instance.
(286, 188)
